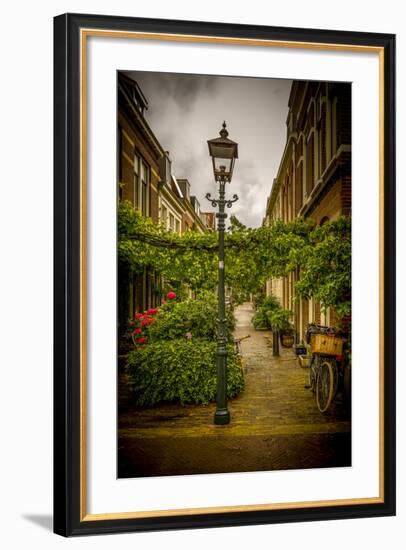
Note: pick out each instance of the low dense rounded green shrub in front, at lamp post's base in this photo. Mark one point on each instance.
(181, 371)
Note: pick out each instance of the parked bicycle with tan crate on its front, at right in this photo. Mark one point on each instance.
(326, 345)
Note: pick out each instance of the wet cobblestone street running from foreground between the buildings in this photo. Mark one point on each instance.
(275, 423)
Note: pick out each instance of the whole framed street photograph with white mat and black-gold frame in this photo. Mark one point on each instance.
(224, 274)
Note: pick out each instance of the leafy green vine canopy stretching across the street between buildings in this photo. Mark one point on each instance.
(322, 254)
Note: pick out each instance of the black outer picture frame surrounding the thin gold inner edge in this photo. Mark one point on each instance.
(67, 345)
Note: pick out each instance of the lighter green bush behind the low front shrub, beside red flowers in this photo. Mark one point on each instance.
(199, 317)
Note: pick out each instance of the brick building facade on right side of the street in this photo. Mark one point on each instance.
(314, 176)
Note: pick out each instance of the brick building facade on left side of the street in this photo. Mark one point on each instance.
(145, 179)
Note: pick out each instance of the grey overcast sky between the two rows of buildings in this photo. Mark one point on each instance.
(184, 111)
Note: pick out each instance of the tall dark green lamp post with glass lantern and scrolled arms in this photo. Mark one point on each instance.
(223, 152)
